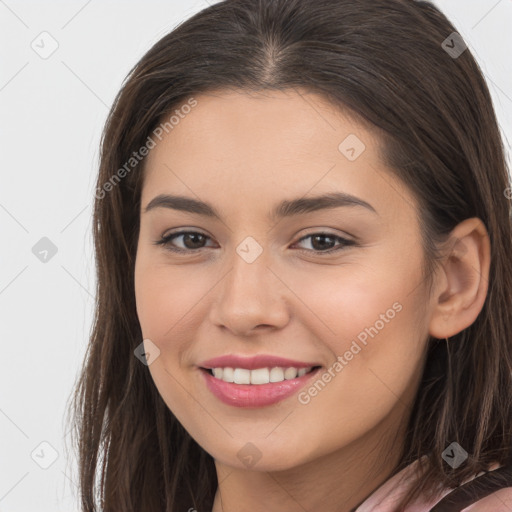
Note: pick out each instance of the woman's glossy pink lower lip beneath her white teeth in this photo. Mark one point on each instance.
(254, 395)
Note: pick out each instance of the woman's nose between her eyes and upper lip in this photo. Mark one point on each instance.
(250, 296)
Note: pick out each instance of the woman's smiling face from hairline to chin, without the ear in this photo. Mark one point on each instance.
(331, 284)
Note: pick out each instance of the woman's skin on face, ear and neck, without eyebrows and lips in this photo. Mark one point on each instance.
(243, 153)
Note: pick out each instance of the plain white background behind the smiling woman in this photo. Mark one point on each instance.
(52, 114)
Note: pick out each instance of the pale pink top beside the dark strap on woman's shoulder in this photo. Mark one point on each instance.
(388, 494)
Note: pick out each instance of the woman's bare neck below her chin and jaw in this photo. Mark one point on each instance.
(336, 482)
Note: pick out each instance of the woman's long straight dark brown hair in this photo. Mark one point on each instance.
(384, 61)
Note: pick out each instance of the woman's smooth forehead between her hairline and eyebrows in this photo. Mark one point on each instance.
(268, 146)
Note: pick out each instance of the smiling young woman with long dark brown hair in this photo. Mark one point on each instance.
(237, 362)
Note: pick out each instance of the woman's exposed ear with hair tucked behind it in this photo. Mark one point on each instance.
(463, 279)
